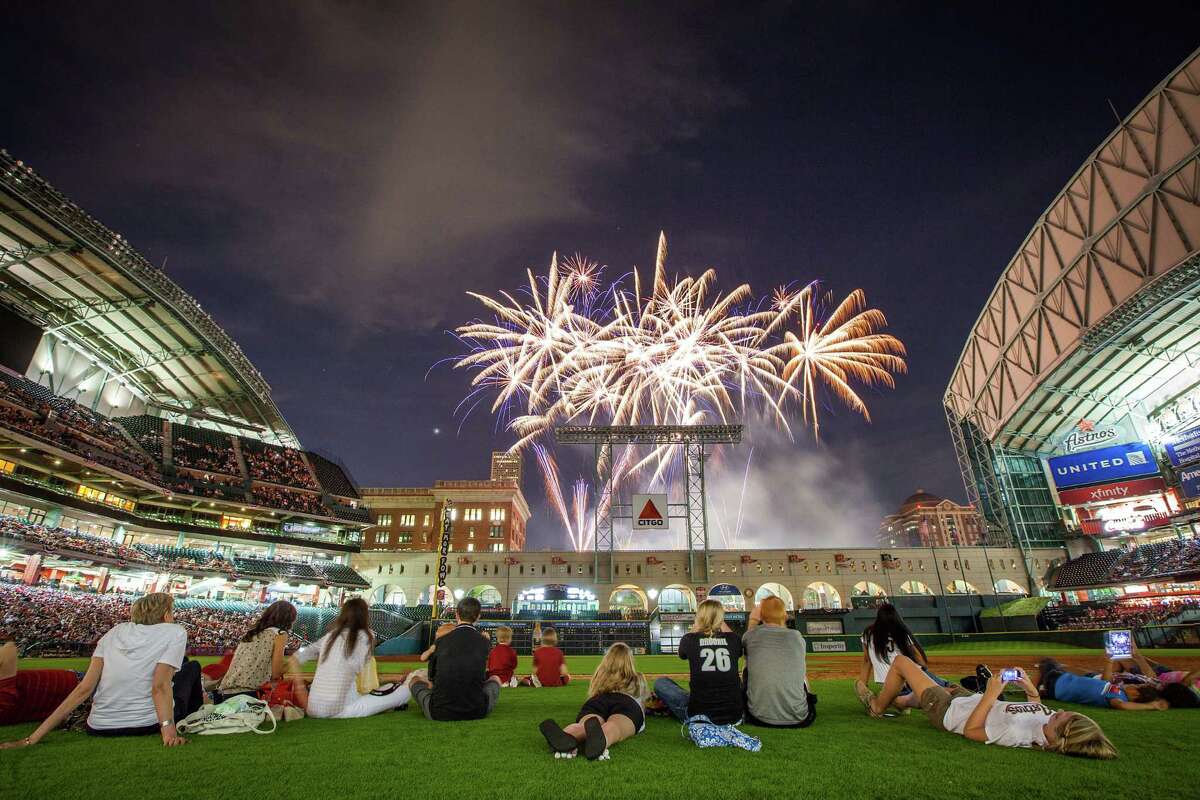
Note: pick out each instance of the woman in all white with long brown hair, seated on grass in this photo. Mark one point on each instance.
(341, 654)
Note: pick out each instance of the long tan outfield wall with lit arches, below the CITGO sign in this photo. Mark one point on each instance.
(830, 579)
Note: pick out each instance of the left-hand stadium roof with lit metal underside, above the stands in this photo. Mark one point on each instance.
(87, 287)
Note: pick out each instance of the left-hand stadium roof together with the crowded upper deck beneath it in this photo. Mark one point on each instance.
(119, 395)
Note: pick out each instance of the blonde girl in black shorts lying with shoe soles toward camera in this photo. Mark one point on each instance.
(614, 712)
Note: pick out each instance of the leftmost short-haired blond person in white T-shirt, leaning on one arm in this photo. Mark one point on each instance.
(134, 679)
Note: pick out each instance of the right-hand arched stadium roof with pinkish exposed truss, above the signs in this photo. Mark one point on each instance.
(1096, 316)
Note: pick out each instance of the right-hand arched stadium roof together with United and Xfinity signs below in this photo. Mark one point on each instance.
(1089, 344)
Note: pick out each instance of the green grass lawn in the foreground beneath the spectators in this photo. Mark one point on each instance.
(844, 755)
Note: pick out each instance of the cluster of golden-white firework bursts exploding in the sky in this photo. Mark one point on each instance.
(676, 352)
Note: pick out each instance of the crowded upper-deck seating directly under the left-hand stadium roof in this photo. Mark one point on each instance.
(200, 462)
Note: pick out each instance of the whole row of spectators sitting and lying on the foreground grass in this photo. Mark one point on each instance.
(140, 683)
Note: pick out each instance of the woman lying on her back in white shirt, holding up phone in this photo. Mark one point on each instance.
(985, 718)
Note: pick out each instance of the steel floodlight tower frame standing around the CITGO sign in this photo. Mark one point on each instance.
(694, 440)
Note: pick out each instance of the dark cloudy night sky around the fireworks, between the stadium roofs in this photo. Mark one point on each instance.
(329, 179)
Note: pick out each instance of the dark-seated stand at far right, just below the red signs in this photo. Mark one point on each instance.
(1157, 562)
